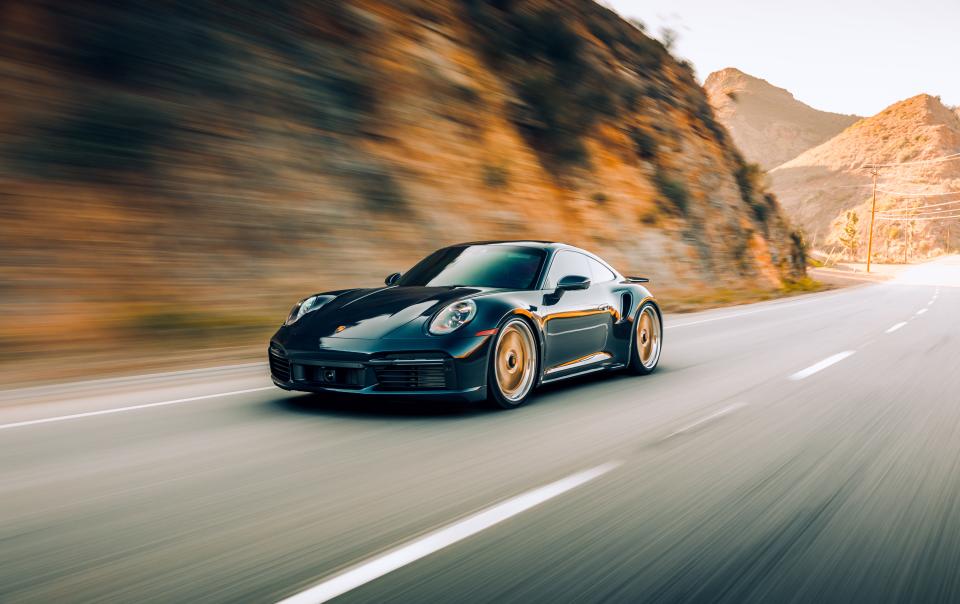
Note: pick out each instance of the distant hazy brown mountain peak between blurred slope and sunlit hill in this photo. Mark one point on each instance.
(767, 123)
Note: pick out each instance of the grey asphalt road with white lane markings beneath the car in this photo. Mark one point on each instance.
(800, 450)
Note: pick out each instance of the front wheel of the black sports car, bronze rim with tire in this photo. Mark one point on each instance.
(512, 371)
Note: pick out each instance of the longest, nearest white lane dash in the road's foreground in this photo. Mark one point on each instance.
(378, 566)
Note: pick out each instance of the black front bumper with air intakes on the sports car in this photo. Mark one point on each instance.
(401, 368)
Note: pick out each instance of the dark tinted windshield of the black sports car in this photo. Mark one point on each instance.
(500, 266)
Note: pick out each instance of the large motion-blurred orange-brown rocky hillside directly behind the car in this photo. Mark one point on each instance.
(190, 172)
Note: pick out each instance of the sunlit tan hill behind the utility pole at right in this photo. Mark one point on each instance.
(817, 187)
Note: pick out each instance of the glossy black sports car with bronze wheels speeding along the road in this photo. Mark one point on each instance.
(487, 320)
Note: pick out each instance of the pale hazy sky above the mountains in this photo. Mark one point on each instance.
(848, 56)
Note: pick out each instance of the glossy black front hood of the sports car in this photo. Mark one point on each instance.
(376, 313)
